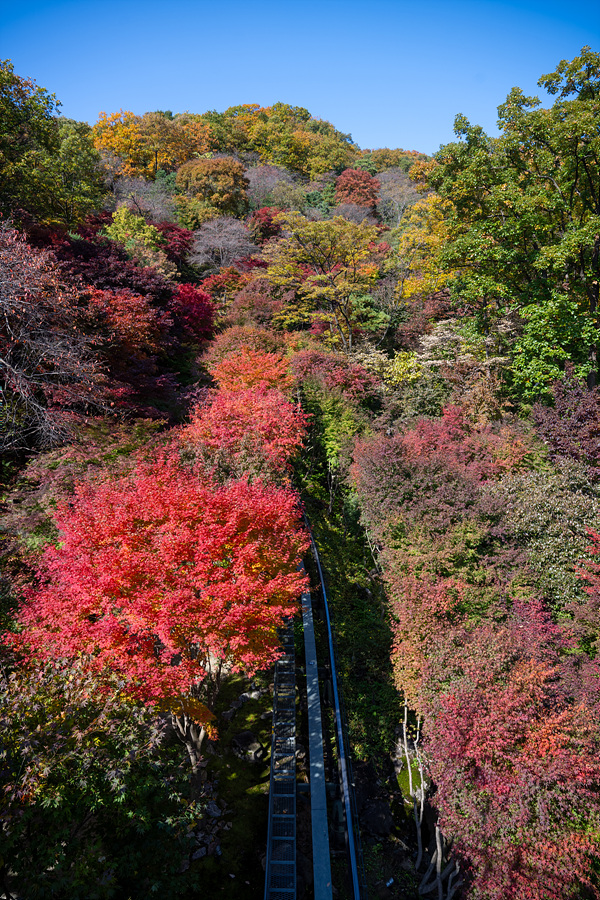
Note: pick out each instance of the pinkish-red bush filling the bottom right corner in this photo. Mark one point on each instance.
(516, 761)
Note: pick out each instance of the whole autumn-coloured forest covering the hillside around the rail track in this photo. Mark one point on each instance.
(213, 321)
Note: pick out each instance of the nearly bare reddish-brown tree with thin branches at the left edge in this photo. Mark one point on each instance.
(49, 372)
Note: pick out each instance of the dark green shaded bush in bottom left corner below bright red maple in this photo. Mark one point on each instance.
(95, 801)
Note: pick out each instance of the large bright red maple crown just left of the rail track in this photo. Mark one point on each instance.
(165, 578)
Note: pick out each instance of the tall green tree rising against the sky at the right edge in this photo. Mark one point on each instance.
(524, 235)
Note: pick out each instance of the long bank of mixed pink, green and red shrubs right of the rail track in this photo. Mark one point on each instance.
(509, 713)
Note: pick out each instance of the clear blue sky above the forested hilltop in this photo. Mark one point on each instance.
(390, 72)
